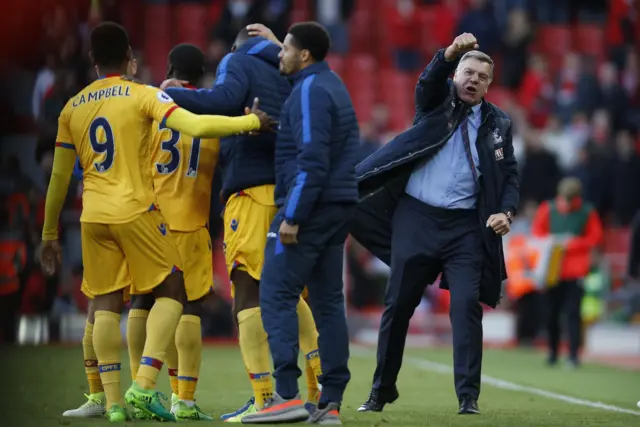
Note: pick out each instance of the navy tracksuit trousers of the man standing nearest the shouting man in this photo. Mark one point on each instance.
(316, 261)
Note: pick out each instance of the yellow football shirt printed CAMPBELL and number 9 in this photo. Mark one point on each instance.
(109, 125)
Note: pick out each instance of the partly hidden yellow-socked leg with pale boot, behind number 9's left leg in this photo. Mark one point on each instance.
(95, 404)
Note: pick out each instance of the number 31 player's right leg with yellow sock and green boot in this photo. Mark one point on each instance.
(189, 344)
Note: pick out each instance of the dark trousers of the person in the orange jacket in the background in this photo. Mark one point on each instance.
(565, 297)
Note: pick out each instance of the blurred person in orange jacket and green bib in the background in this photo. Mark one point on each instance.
(568, 215)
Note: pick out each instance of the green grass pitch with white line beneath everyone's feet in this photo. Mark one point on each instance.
(520, 390)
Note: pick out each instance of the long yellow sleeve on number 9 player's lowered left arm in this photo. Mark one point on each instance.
(64, 160)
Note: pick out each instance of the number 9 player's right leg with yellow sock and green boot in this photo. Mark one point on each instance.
(163, 318)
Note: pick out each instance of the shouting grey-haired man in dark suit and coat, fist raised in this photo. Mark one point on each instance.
(442, 194)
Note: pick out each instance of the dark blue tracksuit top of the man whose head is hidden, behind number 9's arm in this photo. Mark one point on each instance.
(251, 71)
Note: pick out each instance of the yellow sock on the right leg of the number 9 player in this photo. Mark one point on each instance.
(162, 322)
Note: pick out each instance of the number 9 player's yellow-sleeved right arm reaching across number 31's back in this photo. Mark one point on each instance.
(205, 126)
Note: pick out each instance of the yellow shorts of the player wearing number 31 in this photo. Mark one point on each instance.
(194, 248)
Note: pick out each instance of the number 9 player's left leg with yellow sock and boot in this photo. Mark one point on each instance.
(107, 343)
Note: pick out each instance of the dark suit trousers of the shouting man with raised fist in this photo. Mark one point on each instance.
(425, 241)
